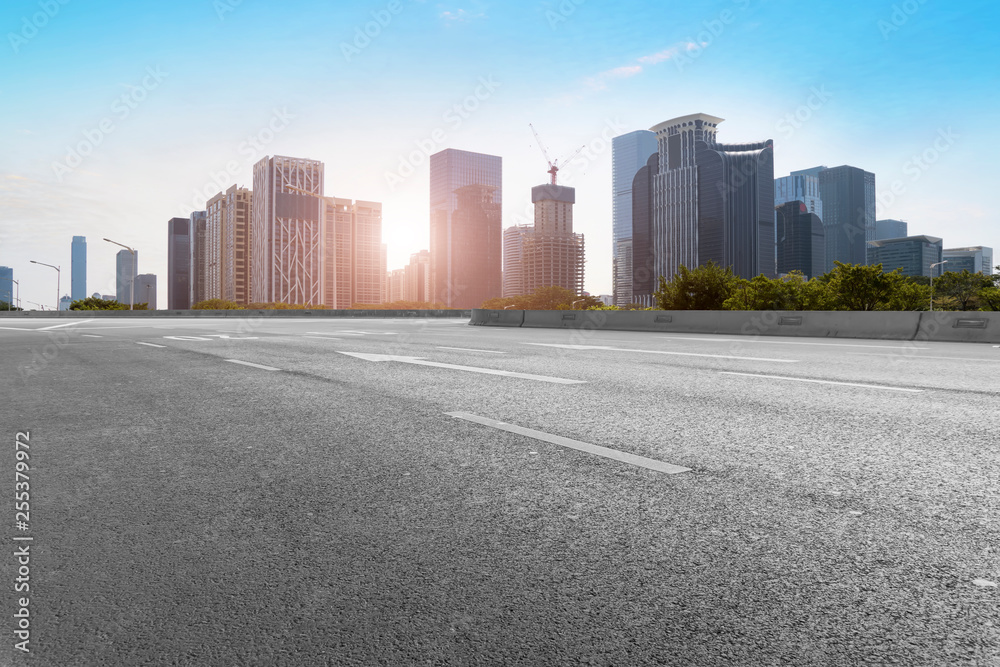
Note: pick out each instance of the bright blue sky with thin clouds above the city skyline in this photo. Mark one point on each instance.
(173, 99)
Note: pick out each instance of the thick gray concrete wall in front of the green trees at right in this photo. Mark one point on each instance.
(981, 327)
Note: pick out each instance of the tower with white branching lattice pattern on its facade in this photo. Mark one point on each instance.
(287, 258)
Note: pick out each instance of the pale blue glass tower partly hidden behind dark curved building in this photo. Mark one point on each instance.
(629, 153)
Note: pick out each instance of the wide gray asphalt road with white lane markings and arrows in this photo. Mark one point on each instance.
(839, 506)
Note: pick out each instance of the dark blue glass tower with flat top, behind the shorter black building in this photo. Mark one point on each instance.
(848, 195)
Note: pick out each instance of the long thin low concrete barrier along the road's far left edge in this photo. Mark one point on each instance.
(318, 312)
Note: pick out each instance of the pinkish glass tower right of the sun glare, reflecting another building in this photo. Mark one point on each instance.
(466, 199)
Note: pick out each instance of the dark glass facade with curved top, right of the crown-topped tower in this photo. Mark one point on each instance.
(736, 206)
